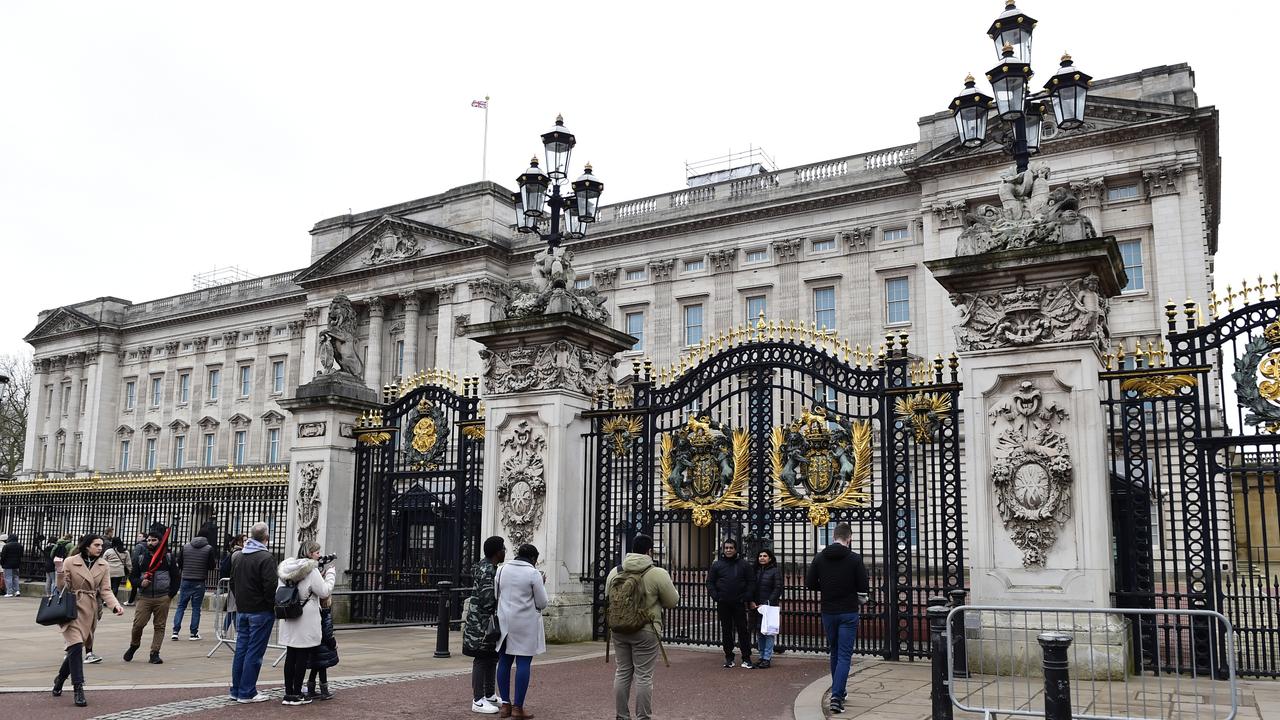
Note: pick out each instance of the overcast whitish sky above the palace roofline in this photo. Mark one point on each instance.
(143, 143)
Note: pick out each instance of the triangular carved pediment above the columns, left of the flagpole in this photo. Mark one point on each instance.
(388, 241)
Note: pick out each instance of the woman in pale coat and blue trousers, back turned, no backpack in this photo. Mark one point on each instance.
(522, 599)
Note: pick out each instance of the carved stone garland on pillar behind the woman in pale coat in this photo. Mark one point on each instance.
(523, 484)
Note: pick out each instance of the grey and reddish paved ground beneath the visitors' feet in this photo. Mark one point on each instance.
(392, 673)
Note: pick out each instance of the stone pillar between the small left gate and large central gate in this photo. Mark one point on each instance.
(541, 375)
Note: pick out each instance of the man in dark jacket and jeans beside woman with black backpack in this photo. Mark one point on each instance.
(254, 586)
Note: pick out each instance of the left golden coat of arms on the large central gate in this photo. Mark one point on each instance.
(706, 467)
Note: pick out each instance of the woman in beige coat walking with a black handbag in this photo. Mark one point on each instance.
(84, 573)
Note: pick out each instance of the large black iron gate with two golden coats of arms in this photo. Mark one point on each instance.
(774, 438)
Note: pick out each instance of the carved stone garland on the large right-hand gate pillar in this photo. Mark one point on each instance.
(1032, 472)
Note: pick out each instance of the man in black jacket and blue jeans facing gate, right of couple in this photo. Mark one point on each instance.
(840, 577)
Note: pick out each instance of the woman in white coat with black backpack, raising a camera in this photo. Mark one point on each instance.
(303, 635)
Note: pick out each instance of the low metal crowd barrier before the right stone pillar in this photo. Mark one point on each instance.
(1084, 663)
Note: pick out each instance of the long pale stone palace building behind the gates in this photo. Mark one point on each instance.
(195, 380)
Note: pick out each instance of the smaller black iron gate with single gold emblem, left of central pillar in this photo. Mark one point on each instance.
(417, 517)
